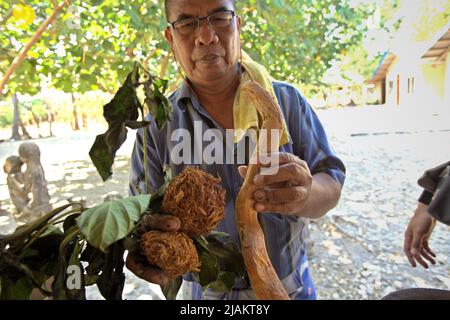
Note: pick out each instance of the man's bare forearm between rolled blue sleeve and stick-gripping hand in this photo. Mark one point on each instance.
(324, 196)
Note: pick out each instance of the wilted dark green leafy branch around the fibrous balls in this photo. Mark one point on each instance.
(94, 240)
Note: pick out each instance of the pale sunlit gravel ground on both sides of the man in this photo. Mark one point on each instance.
(356, 249)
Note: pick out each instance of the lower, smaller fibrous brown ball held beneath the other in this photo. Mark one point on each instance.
(173, 252)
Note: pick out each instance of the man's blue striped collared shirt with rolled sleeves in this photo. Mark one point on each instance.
(285, 235)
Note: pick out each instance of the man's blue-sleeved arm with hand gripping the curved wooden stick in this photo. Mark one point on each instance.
(309, 181)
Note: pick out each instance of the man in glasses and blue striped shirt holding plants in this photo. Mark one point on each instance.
(205, 39)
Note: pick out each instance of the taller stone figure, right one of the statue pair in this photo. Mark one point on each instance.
(34, 182)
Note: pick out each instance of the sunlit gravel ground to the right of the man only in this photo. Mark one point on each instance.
(357, 252)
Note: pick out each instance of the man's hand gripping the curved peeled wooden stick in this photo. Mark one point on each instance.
(286, 191)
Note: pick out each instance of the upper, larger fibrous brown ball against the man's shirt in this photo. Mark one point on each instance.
(197, 199)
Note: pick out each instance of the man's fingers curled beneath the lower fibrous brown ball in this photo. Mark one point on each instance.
(137, 264)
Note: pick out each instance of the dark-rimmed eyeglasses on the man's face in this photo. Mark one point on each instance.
(188, 26)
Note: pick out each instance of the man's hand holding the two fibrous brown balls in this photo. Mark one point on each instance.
(138, 264)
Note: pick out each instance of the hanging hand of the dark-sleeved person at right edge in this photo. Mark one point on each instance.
(417, 235)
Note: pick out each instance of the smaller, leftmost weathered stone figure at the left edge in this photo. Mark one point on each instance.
(15, 181)
